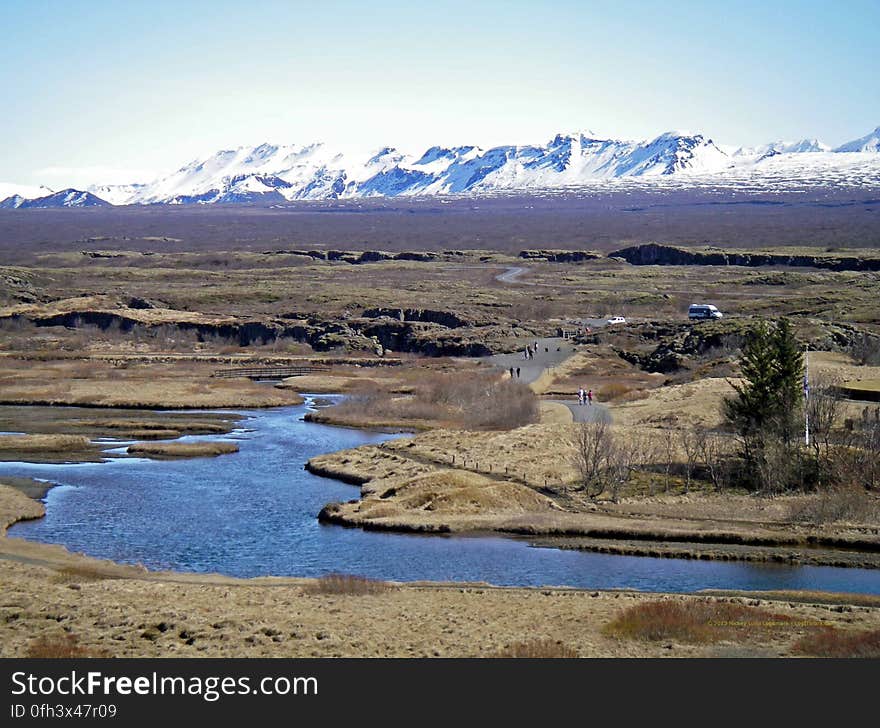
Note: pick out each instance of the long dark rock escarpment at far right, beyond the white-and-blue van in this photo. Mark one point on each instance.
(654, 254)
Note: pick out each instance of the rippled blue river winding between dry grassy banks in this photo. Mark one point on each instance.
(254, 514)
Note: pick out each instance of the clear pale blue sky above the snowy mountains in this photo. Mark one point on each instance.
(111, 91)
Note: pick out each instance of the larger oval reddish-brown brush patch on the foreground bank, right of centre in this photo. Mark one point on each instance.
(693, 621)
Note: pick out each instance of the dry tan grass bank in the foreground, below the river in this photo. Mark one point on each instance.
(112, 610)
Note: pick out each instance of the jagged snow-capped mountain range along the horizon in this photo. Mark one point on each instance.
(277, 174)
